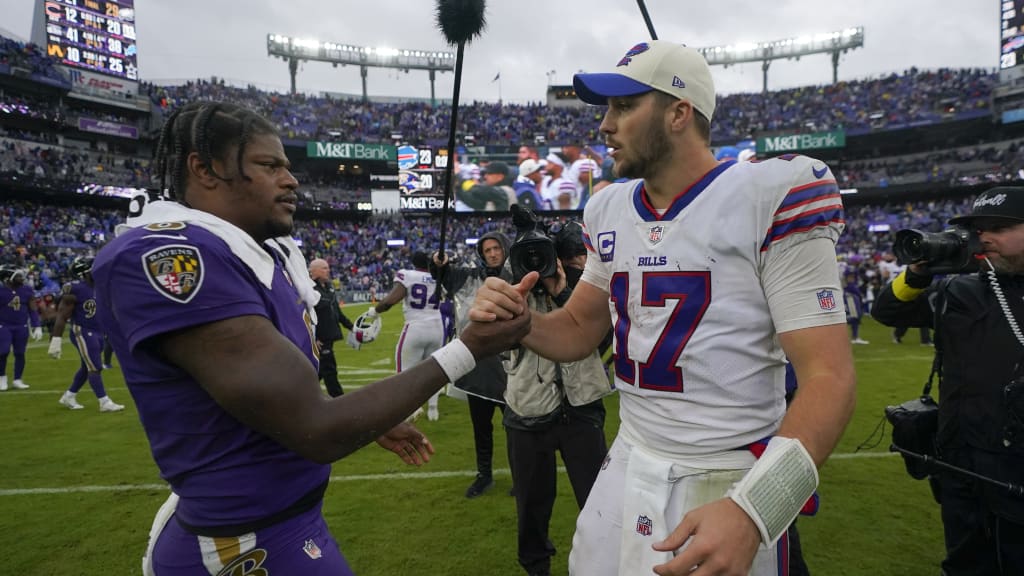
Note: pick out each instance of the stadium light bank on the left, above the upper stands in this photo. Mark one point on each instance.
(294, 50)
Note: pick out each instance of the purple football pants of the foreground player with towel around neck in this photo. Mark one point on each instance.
(300, 546)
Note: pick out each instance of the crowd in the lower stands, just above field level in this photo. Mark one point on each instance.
(46, 239)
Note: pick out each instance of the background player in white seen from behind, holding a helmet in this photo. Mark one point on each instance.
(423, 333)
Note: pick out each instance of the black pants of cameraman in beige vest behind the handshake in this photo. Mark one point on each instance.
(535, 473)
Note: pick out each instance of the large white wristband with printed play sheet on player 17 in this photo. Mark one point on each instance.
(777, 487)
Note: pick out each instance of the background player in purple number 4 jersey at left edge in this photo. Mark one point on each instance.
(18, 308)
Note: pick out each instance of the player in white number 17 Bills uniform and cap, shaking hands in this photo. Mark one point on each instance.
(712, 275)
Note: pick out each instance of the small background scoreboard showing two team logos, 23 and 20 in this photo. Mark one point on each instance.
(421, 178)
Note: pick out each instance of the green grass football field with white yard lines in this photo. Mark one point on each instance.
(78, 489)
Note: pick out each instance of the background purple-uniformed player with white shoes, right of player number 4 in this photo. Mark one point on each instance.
(78, 305)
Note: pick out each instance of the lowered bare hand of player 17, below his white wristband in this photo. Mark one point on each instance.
(722, 539)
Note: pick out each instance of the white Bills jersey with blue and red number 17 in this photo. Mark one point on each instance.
(699, 293)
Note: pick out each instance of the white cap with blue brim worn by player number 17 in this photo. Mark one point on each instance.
(656, 65)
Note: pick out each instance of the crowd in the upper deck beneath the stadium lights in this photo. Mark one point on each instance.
(912, 98)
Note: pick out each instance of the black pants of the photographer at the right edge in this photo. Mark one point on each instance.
(978, 542)
